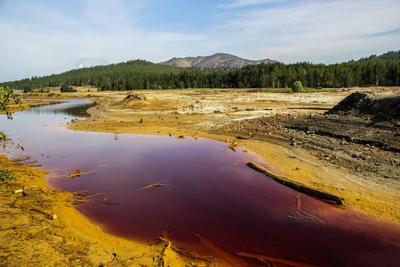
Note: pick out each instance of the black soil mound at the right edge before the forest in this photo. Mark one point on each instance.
(383, 108)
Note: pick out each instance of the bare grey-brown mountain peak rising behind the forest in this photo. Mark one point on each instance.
(219, 60)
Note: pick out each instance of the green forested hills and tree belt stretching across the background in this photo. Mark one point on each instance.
(381, 70)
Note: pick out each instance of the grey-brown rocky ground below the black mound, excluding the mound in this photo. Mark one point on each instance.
(372, 150)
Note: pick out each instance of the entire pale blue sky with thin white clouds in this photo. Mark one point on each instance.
(48, 36)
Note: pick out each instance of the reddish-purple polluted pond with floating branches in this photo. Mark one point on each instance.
(207, 200)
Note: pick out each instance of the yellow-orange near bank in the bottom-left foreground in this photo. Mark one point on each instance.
(46, 228)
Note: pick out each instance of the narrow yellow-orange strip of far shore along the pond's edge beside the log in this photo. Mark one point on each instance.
(381, 205)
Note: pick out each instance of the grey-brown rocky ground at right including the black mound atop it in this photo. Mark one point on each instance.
(361, 133)
